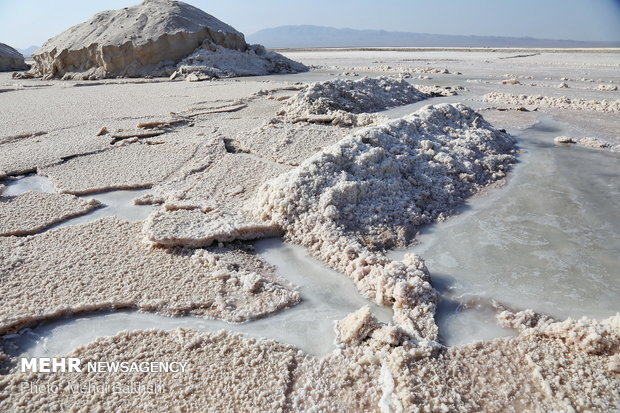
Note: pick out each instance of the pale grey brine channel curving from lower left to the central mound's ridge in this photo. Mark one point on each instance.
(326, 297)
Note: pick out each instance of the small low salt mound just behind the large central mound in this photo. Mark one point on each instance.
(333, 97)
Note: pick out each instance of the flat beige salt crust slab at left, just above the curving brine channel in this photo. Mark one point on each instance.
(108, 265)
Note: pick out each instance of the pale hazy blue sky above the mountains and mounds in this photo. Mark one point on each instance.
(32, 22)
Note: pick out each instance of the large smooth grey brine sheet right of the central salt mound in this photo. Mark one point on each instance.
(549, 240)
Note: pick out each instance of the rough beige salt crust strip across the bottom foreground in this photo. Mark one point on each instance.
(516, 374)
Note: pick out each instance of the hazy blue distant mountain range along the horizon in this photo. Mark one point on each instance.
(319, 36)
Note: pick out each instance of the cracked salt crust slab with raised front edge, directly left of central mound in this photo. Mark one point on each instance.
(211, 205)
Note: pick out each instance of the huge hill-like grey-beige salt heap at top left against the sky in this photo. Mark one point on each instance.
(150, 39)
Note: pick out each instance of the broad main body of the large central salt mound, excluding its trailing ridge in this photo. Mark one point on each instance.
(385, 181)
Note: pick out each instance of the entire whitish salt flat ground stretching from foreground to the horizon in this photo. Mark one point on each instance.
(540, 234)
